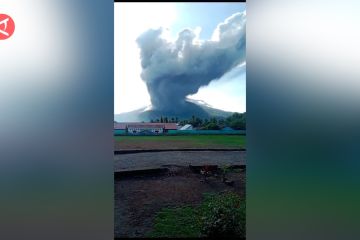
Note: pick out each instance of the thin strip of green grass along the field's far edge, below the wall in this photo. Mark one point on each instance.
(196, 140)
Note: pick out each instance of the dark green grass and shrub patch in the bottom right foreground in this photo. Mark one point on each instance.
(219, 215)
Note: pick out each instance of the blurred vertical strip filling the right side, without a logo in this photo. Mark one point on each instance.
(303, 109)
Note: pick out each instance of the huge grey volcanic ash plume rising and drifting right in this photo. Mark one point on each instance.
(174, 70)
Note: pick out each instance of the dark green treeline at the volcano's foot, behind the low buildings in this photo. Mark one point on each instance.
(236, 121)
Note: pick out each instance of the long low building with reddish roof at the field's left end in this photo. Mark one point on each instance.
(138, 128)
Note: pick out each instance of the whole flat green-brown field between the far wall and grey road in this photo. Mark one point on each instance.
(180, 142)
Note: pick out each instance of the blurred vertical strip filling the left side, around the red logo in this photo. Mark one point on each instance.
(56, 120)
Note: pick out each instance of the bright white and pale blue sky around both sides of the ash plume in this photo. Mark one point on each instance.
(131, 19)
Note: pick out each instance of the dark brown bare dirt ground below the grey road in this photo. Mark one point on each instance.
(138, 198)
